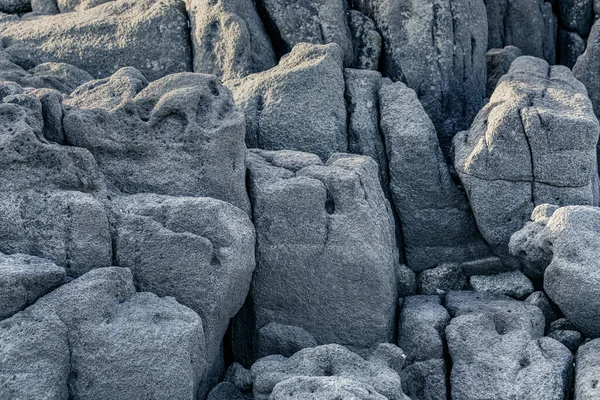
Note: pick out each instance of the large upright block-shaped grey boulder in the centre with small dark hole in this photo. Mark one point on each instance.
(326, 241)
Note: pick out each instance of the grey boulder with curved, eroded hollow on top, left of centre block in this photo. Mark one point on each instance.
(180, 135)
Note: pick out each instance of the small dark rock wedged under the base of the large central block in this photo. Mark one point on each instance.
(282, 339)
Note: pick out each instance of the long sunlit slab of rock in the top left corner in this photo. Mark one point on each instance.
(106, 38)
